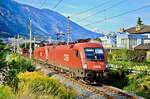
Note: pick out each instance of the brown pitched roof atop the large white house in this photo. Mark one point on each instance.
(144, 29)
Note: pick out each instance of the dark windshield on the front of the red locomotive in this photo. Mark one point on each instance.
(94, 53)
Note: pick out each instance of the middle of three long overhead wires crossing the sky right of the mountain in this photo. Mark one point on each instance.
(98, 12)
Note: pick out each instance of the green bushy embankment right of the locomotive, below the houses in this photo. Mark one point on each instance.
(125, 61)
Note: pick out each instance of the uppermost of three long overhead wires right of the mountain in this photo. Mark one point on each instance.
(87, 10)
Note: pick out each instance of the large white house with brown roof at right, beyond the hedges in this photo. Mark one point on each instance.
(134, 36)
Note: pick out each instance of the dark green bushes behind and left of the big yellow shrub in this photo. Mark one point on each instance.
(17, 64)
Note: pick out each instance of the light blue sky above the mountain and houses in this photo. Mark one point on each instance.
(74, 7)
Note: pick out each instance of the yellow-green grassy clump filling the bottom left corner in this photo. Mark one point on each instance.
(6, 93)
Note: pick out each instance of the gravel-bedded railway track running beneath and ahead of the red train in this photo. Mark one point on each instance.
(103, 92)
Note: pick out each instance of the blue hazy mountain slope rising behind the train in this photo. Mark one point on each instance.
(14, 19)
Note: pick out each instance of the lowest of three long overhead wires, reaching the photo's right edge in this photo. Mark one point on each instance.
(121, 14)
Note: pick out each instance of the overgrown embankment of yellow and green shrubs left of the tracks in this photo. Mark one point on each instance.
(21, 81)
